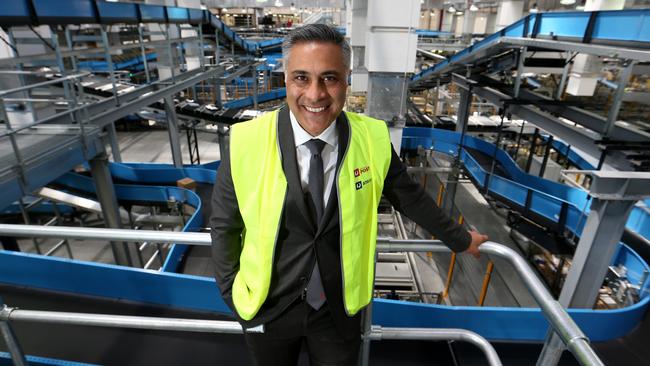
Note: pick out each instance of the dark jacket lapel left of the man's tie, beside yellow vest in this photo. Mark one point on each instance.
(290, 164)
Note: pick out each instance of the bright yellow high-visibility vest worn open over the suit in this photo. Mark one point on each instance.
(261, 188)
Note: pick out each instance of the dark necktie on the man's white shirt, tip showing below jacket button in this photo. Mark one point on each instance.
(315, 291)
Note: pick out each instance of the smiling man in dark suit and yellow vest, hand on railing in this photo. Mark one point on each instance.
(294, 211)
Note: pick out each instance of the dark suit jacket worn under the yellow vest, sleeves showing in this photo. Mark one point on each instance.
(301, 241)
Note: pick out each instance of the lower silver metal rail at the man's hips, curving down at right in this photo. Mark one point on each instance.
(210, 326)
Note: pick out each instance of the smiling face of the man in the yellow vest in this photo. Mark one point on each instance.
(316, 80)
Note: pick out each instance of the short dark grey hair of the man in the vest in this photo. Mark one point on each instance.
(316, 33)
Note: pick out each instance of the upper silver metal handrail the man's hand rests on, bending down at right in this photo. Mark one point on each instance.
(574, 339)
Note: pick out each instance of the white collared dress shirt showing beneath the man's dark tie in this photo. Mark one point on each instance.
(329, 155)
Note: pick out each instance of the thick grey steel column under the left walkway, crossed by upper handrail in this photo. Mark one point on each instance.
(110, 208)
